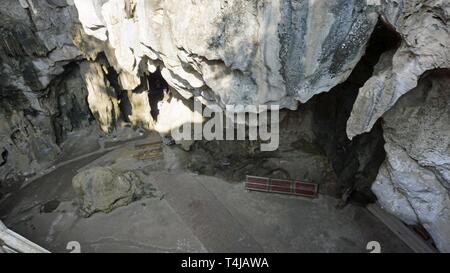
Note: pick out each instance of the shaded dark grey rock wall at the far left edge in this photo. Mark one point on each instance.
(41, 95)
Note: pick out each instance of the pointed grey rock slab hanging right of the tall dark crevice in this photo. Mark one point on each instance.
(423, 26)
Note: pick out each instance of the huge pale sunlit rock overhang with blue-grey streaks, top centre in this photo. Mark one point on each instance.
(234, 52)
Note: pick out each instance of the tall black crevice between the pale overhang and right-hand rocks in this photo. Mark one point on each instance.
(356, 162)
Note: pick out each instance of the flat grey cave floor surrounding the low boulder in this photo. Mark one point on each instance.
(193, 213)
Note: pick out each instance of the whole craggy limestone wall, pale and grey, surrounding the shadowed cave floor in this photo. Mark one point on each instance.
(65, 63)
